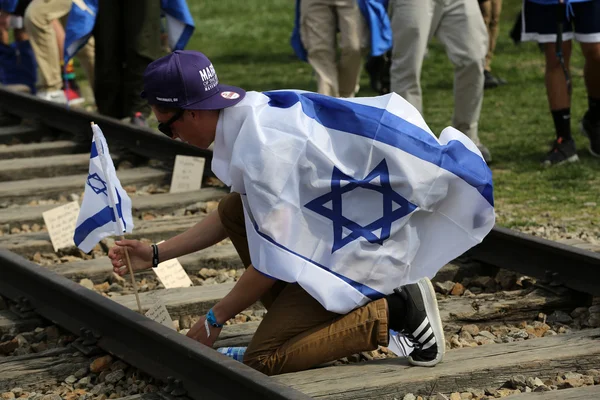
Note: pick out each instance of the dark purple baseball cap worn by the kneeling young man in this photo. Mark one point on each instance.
(186, 79)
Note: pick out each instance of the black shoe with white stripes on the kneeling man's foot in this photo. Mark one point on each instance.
(421, 323)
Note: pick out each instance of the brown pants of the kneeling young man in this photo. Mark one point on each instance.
(297, 333)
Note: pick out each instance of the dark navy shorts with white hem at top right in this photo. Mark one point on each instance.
(540, 22)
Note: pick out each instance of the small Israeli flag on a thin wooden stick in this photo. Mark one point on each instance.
(106, 207)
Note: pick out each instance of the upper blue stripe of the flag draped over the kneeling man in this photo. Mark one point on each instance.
(383, 126)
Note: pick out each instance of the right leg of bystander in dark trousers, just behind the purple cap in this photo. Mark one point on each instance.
(142, 46)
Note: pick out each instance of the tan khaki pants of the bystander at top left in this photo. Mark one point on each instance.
(38, 23)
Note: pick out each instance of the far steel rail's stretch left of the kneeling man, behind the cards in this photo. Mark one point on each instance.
(142, 141)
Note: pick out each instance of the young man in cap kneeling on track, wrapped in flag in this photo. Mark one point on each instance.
(340, 209)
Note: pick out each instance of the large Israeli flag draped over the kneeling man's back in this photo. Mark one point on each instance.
(351, 198)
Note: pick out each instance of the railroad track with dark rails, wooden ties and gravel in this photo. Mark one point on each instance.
(515, 305)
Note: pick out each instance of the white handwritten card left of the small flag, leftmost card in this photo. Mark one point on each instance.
(60, 222)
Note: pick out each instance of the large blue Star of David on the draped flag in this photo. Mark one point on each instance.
(356, 230)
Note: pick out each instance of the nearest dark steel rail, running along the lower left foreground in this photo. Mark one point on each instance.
(145, 344)
